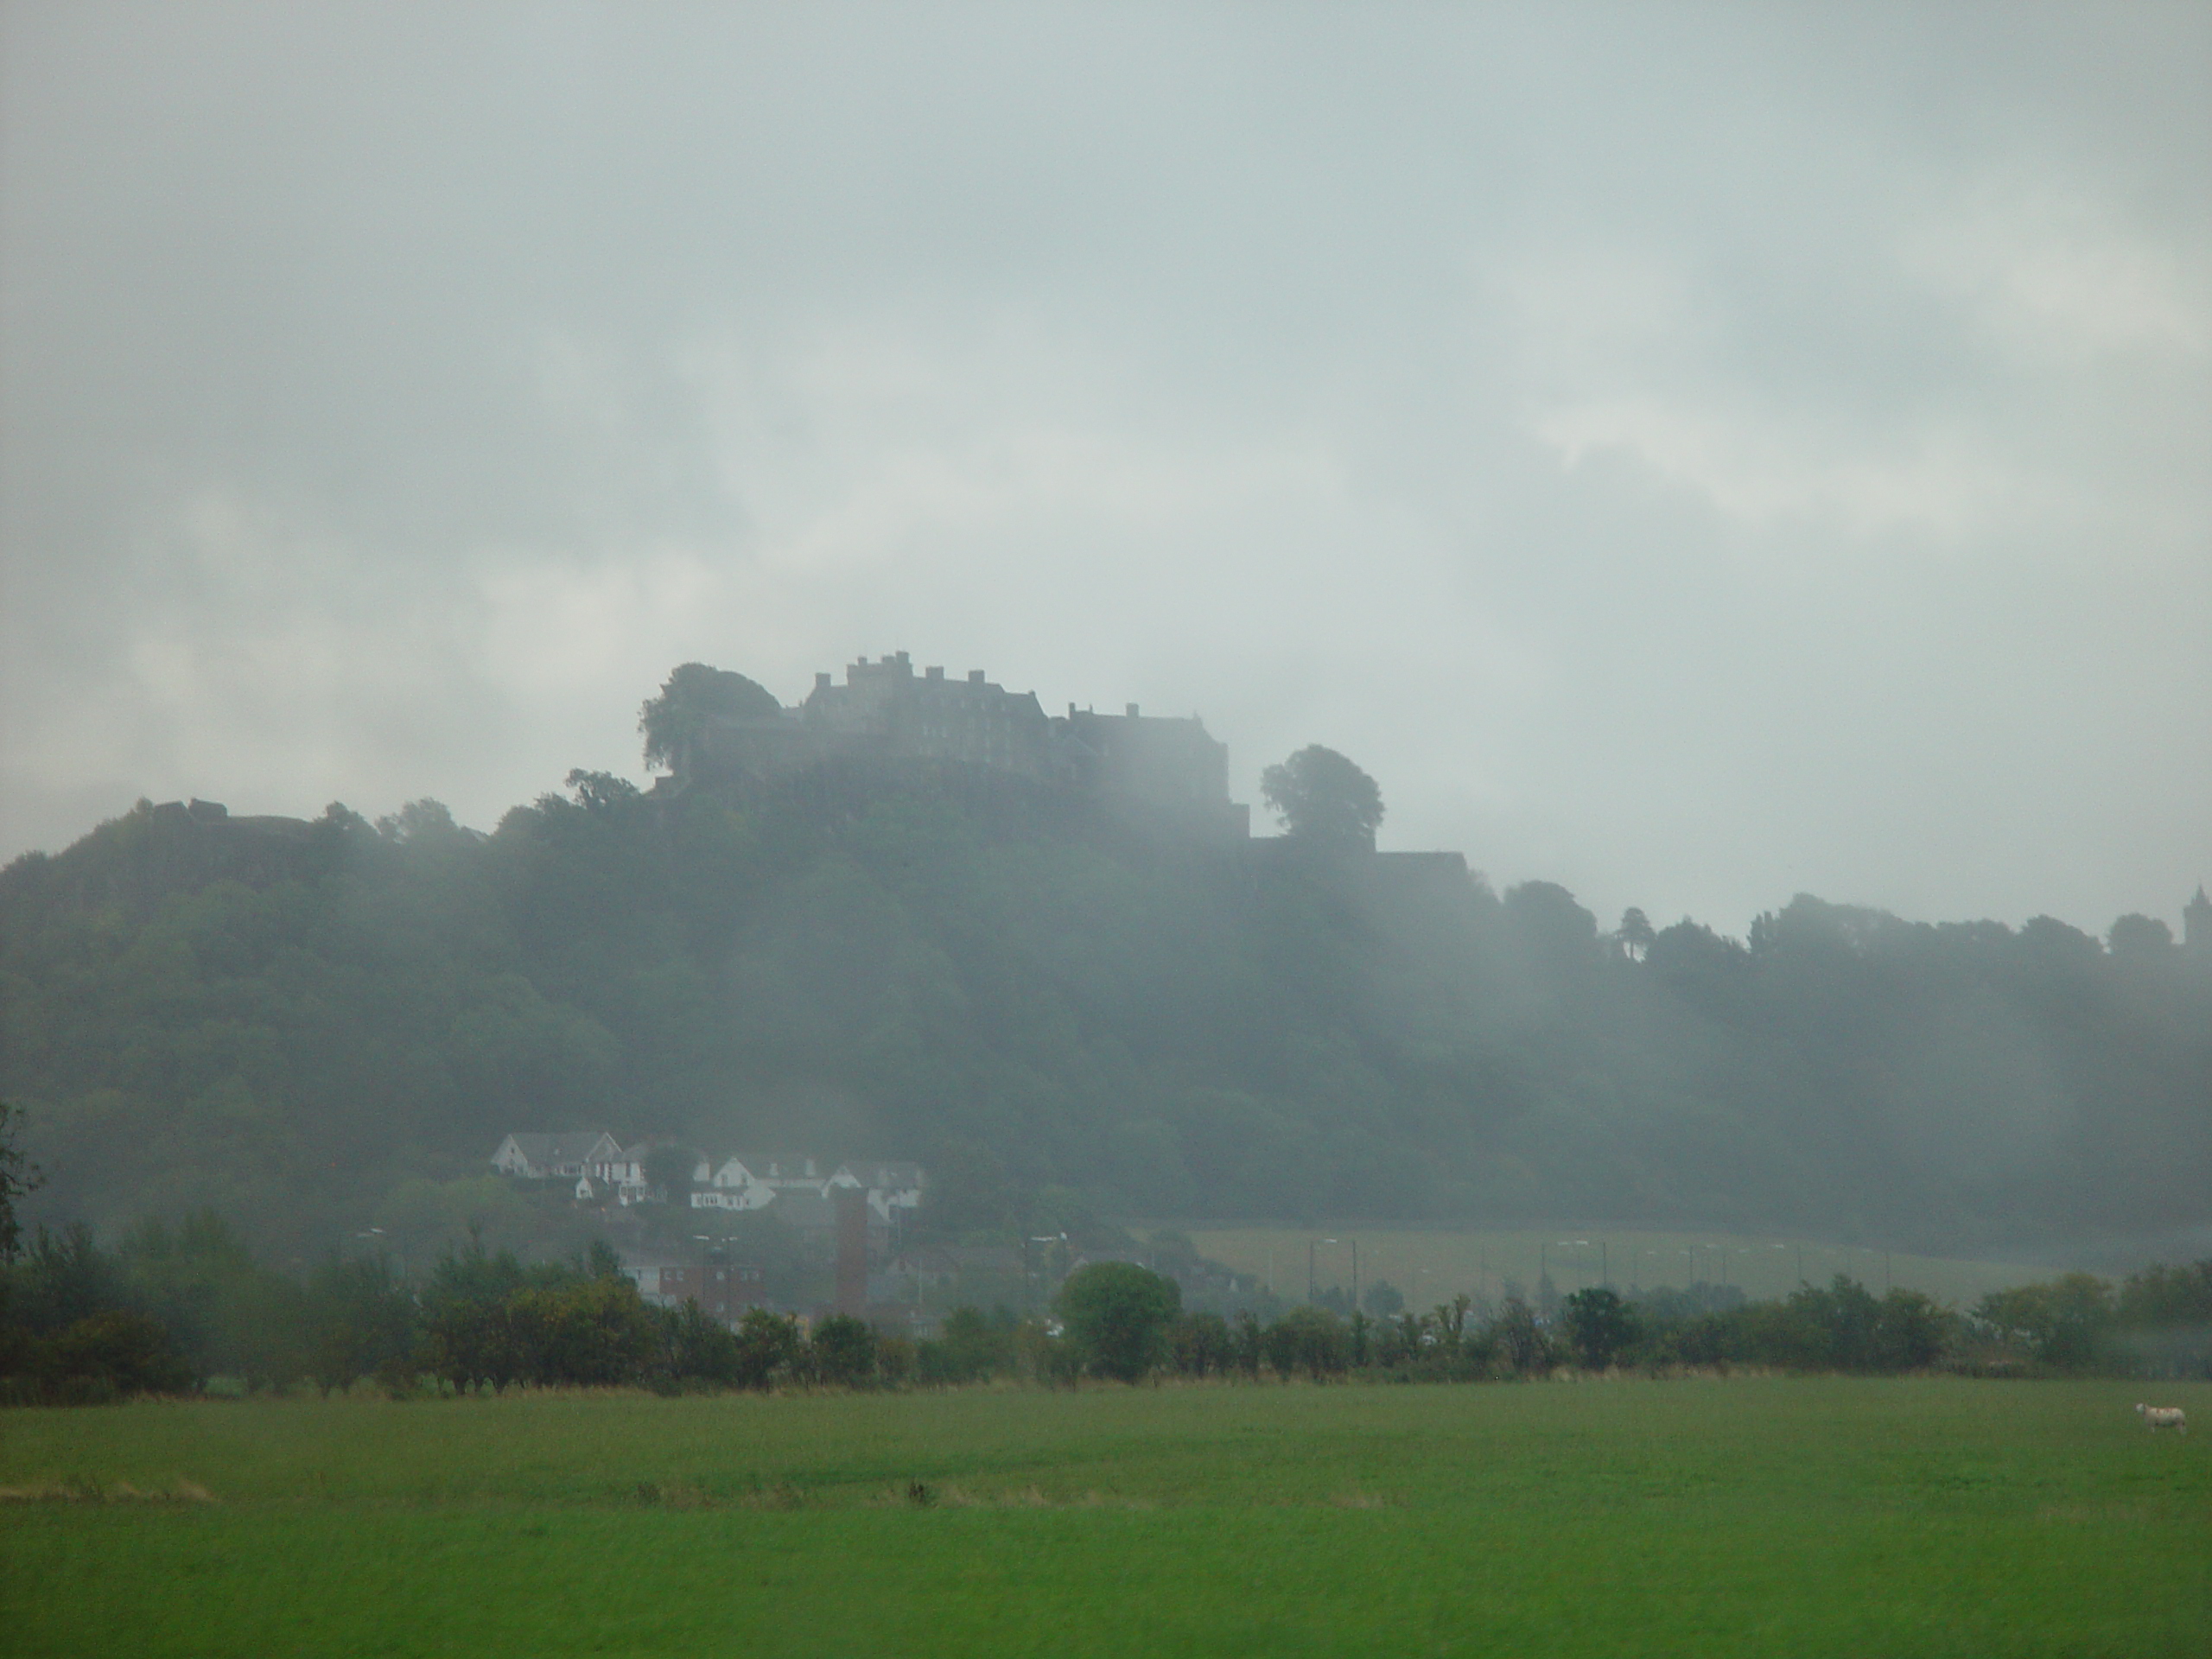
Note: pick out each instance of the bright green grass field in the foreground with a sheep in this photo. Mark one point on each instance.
(1744, 1516)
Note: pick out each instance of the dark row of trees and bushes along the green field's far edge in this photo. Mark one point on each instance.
(171, 1311)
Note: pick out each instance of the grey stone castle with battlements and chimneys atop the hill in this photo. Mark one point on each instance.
(1165, 769)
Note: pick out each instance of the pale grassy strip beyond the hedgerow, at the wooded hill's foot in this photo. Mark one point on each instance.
(1437, 1264)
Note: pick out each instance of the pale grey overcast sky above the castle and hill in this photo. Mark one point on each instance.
(1693, 455)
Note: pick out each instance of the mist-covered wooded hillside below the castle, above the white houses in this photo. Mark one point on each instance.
(1023, 985)
